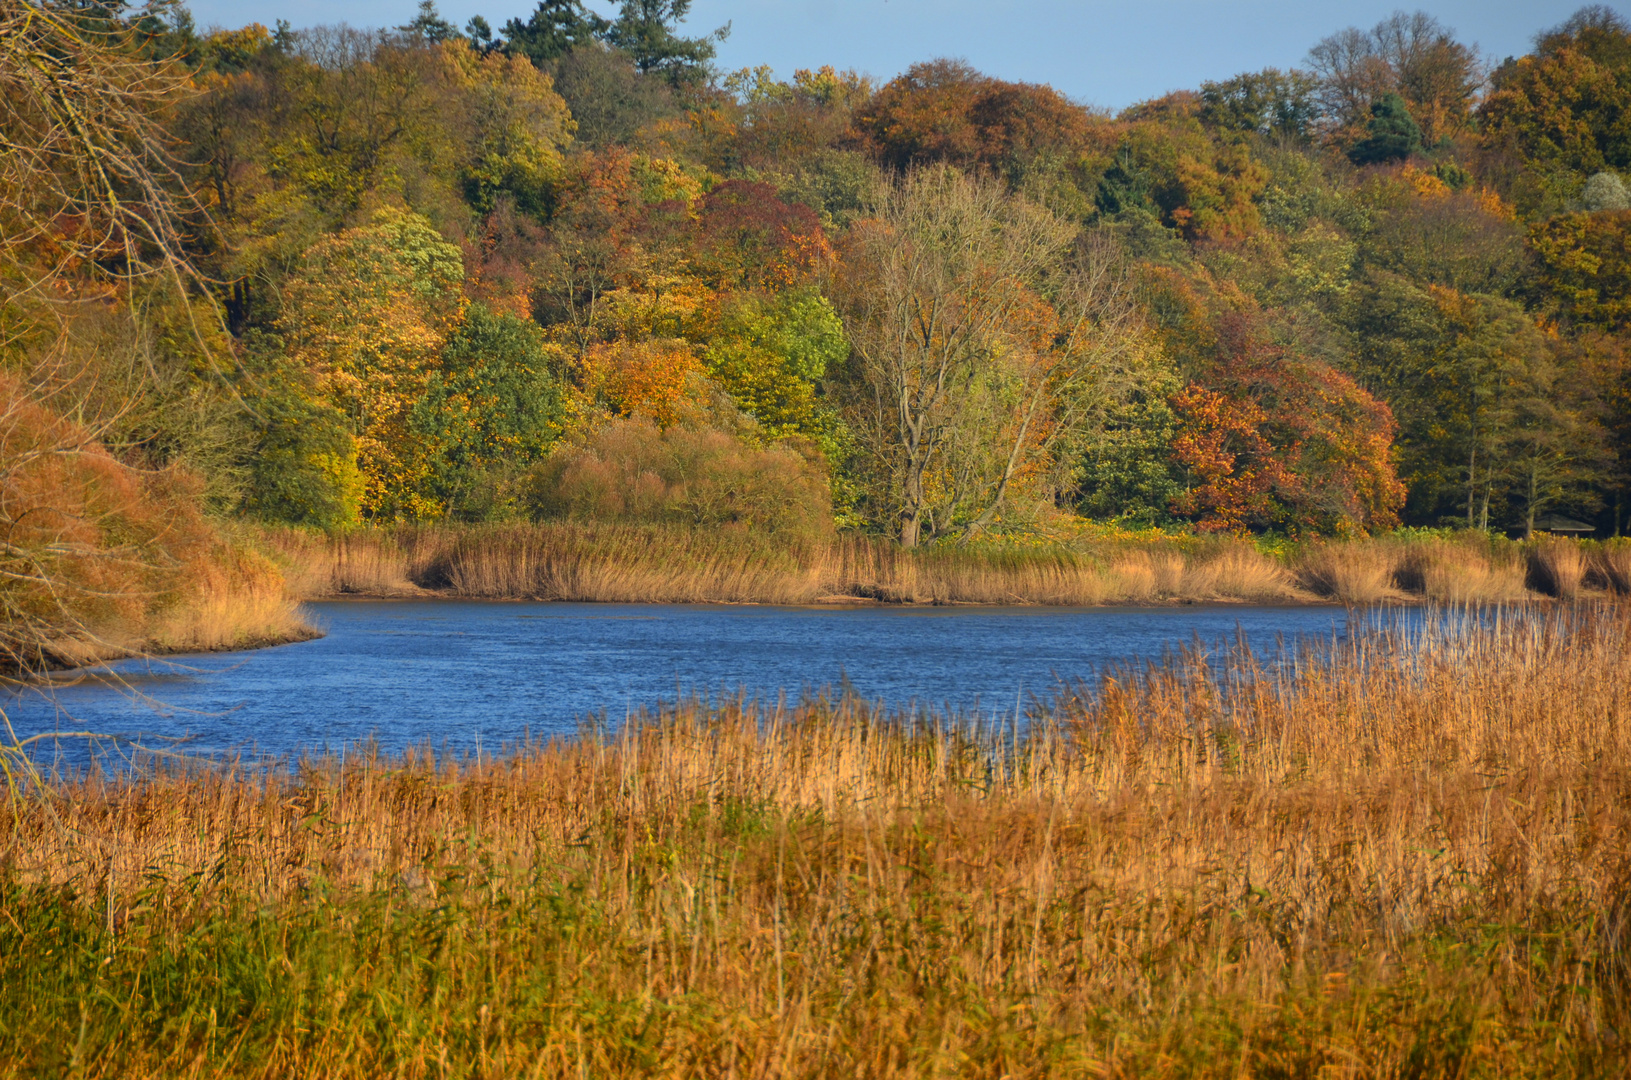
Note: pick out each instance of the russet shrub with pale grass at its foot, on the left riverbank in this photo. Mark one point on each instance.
(102, 559)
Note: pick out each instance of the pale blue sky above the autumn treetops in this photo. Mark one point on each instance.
(1098, 53)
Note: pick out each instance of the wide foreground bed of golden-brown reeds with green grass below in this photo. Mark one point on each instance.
(1407, 856)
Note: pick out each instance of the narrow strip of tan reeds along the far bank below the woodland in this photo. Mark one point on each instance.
(652, 564)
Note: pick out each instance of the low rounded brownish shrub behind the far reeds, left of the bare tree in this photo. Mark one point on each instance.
(634, 472)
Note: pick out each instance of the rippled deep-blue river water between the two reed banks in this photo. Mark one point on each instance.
(462, 675)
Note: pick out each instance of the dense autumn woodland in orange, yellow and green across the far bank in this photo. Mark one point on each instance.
(568, 268)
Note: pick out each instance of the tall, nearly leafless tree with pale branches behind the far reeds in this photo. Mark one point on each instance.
(981, 347)
